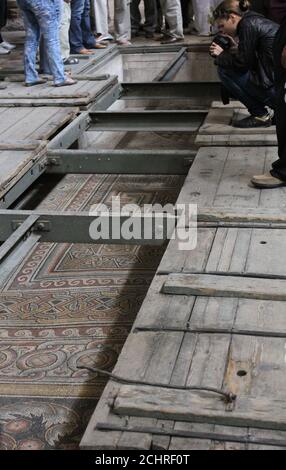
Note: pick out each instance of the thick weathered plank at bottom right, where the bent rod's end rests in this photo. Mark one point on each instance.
(202, 407)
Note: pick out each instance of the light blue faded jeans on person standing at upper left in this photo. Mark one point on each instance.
(42, 17)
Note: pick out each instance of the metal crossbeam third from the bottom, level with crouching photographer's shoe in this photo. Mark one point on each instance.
(158, 120)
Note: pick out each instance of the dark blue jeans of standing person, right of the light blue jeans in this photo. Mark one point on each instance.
(80, 30)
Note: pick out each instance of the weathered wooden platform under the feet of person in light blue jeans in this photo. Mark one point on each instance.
(82, 94)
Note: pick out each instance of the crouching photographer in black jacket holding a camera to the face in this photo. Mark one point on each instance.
(246, 66)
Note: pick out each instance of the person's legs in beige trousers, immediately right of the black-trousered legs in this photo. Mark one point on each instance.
(172, 12)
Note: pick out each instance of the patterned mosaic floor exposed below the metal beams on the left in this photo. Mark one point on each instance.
(70, 306)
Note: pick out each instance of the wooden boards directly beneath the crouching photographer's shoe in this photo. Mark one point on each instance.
(218, 130)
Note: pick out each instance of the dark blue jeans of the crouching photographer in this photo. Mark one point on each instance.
(241, 88)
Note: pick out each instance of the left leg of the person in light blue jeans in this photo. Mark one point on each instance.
(32, 40)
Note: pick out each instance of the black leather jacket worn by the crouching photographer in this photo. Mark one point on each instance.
(256, 36)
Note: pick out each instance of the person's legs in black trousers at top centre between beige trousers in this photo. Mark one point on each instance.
(150, 9)
